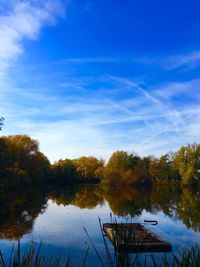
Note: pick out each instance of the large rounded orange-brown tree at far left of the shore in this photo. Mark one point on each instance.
(20, 157)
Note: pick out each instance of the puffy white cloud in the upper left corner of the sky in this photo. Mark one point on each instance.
(24, 20)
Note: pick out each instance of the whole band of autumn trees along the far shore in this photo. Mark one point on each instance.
(22, 162)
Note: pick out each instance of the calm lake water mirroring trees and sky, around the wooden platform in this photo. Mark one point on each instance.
(57, 217)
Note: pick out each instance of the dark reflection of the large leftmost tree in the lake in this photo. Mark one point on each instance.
(18, 211)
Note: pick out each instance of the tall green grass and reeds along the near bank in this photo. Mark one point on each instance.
(32, 257)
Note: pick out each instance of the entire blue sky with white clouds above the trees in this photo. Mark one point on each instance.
(89, 77)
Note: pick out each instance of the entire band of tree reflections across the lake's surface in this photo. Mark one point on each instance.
(20, 208)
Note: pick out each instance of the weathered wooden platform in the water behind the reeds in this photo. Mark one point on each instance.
(134, 237)
